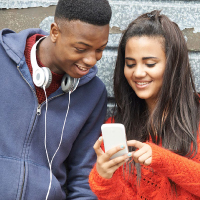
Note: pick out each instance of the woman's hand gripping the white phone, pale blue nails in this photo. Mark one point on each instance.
(105, 165)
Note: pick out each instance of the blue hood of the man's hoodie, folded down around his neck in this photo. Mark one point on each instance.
(14, 45)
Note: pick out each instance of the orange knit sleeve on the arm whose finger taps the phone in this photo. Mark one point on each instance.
(183, 171)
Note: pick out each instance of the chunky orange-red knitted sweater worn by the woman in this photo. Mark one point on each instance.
(154, 183)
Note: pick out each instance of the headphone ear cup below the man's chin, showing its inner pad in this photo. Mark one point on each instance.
(68, 83)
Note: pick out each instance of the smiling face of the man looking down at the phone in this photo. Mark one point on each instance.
(78, 46)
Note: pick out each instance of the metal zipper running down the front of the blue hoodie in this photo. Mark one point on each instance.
(37, 113)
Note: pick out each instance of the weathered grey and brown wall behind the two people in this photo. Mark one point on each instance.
(39, 13)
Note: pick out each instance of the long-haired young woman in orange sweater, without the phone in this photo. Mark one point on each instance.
(159, 106)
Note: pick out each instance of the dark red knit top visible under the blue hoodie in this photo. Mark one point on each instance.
(56, 78)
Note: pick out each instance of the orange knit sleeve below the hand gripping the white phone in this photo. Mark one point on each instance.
(115, 188)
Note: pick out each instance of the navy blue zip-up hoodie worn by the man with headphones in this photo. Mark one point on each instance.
(24, 170)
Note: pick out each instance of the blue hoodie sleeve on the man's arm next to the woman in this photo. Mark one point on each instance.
(82, 156)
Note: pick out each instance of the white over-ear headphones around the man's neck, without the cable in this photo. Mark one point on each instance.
(42, 76)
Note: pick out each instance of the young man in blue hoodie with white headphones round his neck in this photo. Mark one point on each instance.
(36, 137)
